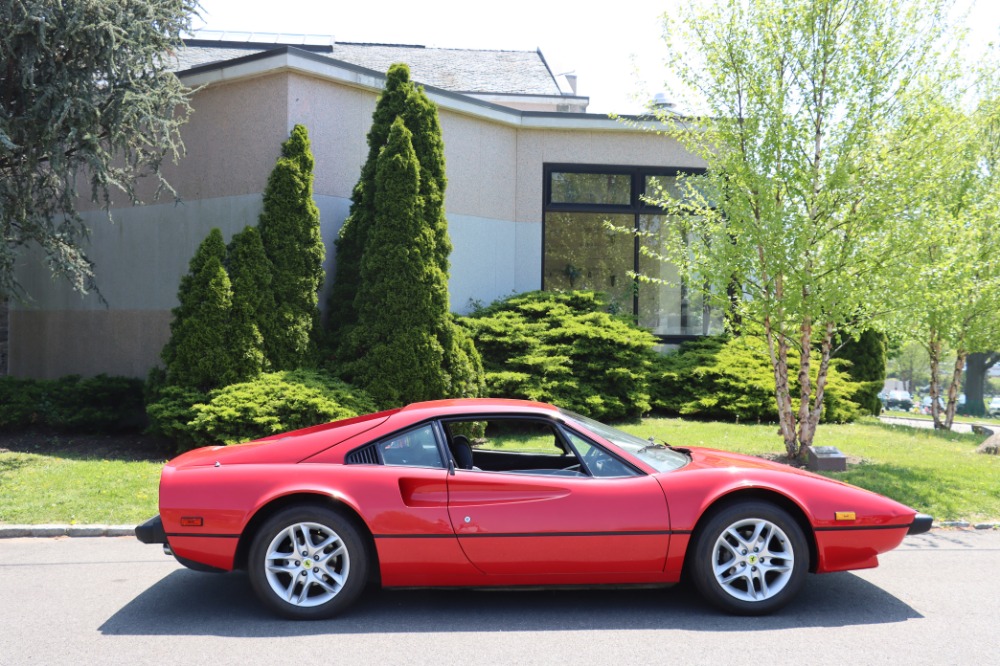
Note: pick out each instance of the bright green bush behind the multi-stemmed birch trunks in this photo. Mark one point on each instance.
(732, 380)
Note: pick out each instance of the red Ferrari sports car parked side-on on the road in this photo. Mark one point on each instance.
(487, 492)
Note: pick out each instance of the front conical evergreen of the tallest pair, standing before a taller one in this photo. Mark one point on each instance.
(399, 356)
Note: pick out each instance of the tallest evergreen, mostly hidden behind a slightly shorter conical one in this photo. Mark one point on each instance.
(400, 98)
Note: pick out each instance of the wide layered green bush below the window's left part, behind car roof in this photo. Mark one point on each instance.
(565, 348)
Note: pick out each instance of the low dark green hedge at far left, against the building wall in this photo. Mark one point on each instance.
(93, 405)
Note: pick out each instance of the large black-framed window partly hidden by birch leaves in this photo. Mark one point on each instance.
(582, 252)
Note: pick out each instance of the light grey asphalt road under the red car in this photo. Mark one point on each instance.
(935, 600)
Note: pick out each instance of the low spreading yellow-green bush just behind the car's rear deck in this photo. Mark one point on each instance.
(272, 403)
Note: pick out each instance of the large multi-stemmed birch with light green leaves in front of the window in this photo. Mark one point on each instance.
(801, 202)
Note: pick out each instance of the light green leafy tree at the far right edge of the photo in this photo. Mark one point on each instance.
(952, 303)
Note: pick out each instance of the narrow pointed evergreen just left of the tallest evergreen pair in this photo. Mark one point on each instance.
(289, 229)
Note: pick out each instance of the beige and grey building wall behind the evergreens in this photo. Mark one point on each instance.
(494, 205)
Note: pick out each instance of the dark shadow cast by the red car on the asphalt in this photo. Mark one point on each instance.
(186, 603)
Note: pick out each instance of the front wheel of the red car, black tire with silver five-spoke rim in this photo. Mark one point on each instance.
(755, 582)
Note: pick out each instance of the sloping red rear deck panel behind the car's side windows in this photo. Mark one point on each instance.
(291, 447)
